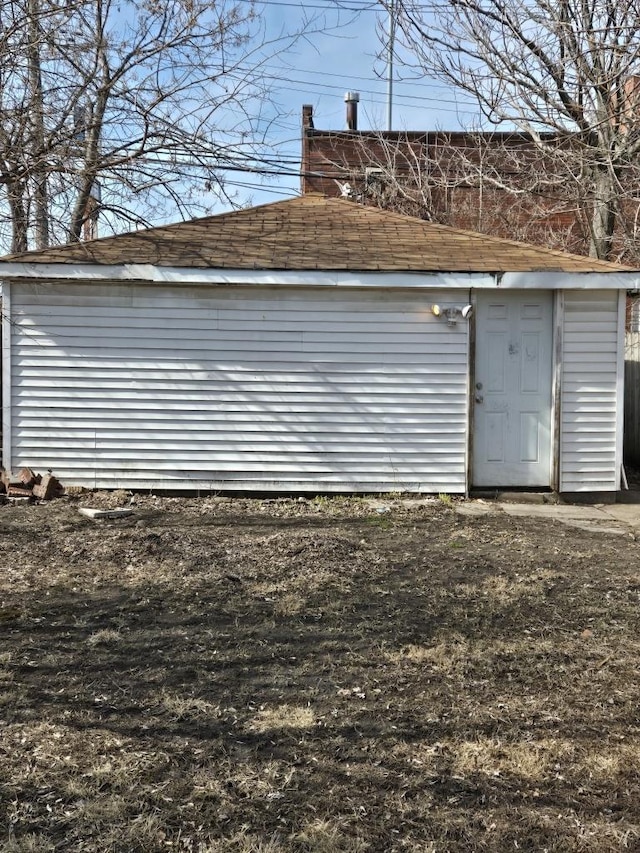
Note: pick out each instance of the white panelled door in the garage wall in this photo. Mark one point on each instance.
(512, 436)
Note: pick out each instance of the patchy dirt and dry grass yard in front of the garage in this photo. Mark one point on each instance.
(328, 675)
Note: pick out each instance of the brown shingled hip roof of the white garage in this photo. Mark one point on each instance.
(316, 233)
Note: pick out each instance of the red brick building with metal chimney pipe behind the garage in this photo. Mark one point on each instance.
(458, 179)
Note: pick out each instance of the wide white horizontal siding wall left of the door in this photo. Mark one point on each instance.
(238, 388)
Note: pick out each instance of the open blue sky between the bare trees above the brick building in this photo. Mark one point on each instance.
(321, 67)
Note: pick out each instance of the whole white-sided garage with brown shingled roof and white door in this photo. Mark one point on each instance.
(314, 345)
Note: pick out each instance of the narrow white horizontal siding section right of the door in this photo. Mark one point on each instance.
(590, 407)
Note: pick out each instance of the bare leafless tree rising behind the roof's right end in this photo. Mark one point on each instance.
(561, 71)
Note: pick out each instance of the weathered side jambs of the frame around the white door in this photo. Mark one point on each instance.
(557, 308)
